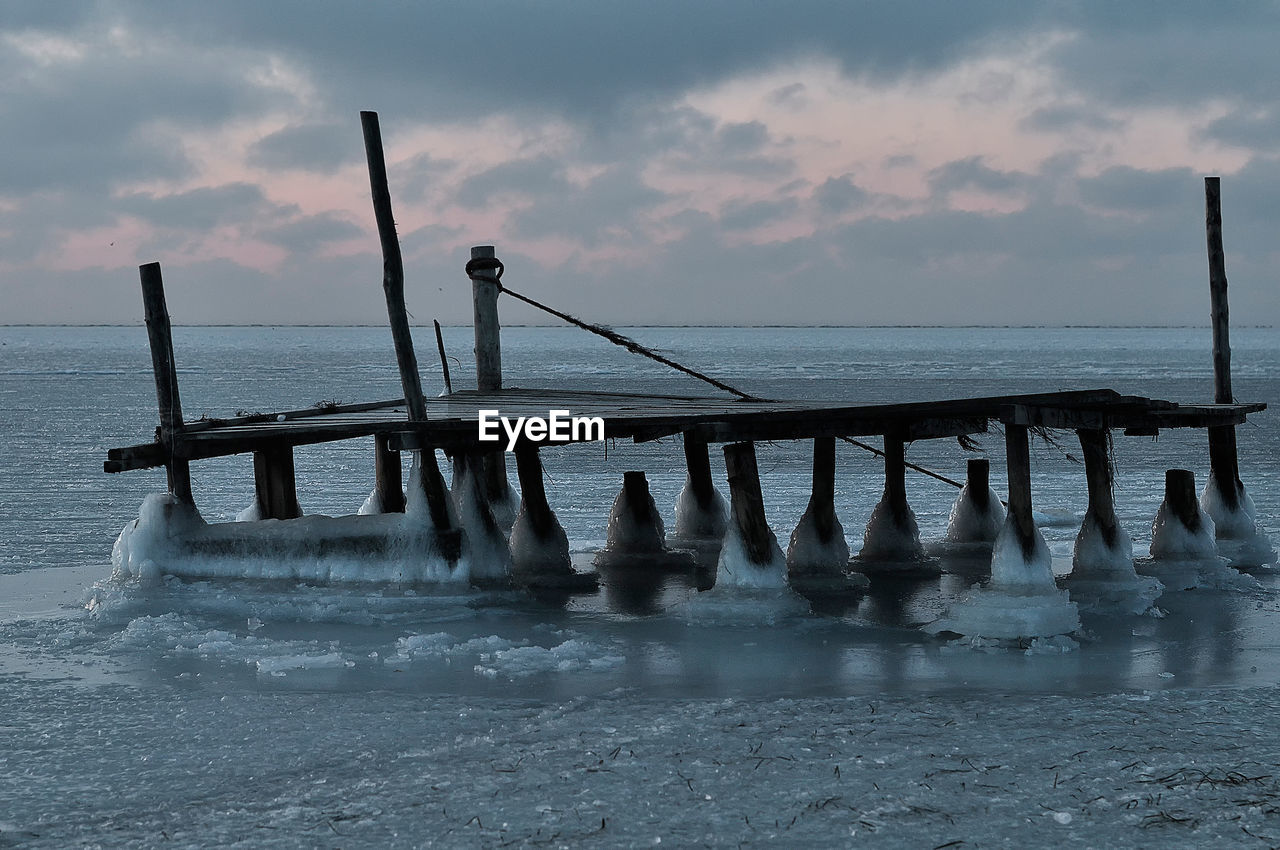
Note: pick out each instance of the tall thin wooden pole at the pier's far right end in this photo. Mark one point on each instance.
(1224, 463)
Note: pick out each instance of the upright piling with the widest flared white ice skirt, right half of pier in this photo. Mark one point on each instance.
(1022, 600)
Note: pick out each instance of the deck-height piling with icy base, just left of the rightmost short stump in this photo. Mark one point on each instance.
(1103, 578)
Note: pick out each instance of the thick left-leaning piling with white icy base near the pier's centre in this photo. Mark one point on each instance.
(751, 556)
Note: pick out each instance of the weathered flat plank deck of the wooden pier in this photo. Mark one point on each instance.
(452, 421)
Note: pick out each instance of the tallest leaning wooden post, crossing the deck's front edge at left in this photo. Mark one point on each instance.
(394, 287)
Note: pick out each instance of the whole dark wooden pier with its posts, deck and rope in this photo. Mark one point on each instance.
(451, 423)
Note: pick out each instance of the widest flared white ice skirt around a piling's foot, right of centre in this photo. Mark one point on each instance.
(1022, 601)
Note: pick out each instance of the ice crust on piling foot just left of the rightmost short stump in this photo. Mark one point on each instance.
(1104, 581)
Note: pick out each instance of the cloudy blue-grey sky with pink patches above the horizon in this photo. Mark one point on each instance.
(660, 162)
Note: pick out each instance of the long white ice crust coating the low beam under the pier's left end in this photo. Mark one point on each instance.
(171, 538)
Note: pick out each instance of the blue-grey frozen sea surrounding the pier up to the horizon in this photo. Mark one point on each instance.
(248, 714)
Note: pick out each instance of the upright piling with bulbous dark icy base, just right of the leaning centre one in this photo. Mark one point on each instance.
(819, 555)
